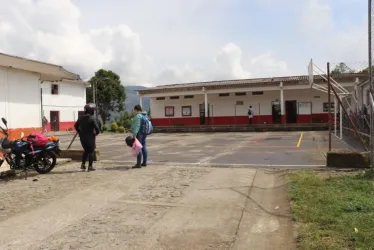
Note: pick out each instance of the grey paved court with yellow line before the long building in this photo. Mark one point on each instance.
(268, 149)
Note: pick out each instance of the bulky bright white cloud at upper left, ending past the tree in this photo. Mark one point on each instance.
(49, 31)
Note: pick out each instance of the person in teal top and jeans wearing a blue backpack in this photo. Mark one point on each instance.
(138, 132)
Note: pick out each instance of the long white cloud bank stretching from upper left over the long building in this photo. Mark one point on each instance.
(50, 31)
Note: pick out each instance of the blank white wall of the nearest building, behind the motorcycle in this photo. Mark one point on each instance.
(20, 98)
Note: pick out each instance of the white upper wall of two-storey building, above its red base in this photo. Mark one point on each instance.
(70, 99)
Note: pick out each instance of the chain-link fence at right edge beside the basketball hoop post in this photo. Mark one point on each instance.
(350, 88)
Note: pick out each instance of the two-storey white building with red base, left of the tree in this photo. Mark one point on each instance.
(62, 103)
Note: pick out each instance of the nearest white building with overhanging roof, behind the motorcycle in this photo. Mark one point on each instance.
(20, 95)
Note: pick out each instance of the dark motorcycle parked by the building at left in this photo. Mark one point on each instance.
(42, 159)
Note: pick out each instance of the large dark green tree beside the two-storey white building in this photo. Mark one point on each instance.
(110, 93)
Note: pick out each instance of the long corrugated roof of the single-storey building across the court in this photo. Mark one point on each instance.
(255, 82)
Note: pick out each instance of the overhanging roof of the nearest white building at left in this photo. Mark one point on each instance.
(47, 71)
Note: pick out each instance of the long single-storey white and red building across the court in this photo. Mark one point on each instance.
(273, 100)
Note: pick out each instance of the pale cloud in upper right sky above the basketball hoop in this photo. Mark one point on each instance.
(332, 40)
